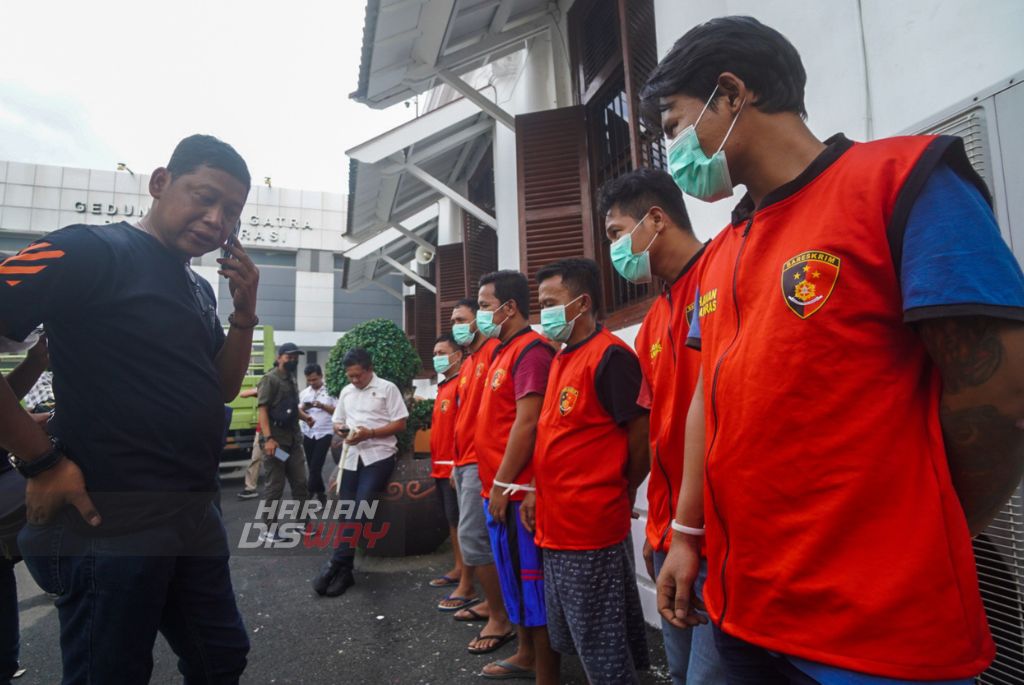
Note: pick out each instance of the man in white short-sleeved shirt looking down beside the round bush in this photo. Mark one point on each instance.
(370, 413)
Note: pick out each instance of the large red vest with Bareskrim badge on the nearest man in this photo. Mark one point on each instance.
(834, 531)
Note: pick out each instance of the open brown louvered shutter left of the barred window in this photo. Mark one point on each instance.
(556, 210)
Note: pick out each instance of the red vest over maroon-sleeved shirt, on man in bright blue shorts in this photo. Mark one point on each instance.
(498, 408)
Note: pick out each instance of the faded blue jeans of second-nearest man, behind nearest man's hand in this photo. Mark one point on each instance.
(692, 654)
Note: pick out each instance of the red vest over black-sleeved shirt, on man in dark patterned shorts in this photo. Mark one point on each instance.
(581, 458)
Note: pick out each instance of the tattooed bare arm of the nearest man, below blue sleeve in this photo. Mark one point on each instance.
(983, 365)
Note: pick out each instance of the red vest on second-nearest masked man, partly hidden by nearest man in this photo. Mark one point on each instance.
(670, 369)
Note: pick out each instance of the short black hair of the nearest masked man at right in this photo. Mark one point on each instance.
(767, 63)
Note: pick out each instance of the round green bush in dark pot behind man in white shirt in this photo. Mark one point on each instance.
(409, 505)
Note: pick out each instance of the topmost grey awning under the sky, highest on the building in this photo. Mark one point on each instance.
(409, 46)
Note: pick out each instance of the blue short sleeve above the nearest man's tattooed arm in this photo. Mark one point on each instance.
(956, 263)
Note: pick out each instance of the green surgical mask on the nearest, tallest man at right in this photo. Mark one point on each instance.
(697, 175)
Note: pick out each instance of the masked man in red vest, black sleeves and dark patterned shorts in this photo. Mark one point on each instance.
(591, 456)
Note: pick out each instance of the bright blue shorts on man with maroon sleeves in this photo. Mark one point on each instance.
(521, 569)
